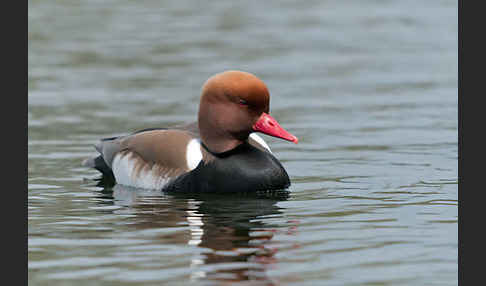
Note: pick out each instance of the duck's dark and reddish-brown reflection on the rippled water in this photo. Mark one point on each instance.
(230, 229)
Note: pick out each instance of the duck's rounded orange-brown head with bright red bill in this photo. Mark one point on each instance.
(233, 105)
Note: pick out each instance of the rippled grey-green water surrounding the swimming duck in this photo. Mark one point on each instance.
(370, 89)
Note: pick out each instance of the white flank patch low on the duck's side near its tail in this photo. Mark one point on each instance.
(123, 169)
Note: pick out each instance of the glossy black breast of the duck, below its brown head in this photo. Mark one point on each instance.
(243, 169)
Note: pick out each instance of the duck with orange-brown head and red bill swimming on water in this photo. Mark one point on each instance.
(220, 153)
